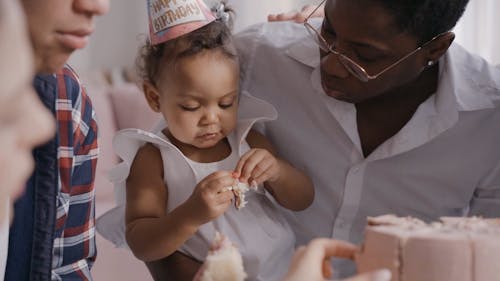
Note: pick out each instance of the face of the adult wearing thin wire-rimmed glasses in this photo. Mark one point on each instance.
(366, 33)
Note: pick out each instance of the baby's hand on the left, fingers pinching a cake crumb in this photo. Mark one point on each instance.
(211, 197)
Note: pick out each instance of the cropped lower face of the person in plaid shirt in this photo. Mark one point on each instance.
(59, 27)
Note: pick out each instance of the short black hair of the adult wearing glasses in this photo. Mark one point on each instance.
(425, 18)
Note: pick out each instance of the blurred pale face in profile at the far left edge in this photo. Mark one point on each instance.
(24, 121)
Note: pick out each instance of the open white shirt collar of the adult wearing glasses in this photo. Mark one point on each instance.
(466, 83)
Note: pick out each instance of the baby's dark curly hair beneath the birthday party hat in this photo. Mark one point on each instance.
(215, 35)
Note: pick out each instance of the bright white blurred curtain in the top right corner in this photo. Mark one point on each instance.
(479, 29)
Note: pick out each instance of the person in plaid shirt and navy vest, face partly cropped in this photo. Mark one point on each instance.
(52, 235)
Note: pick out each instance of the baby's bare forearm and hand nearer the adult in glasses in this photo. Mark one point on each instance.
(288, 185)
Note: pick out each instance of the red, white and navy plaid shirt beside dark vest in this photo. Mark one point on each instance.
(74, 242)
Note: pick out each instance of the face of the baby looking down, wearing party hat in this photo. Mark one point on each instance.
(199, 98)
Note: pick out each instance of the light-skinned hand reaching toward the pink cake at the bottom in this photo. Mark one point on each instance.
(312, 262)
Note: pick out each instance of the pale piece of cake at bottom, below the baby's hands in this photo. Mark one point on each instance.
(223, 263)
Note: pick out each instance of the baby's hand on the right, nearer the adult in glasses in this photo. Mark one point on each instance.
(257, 166)
